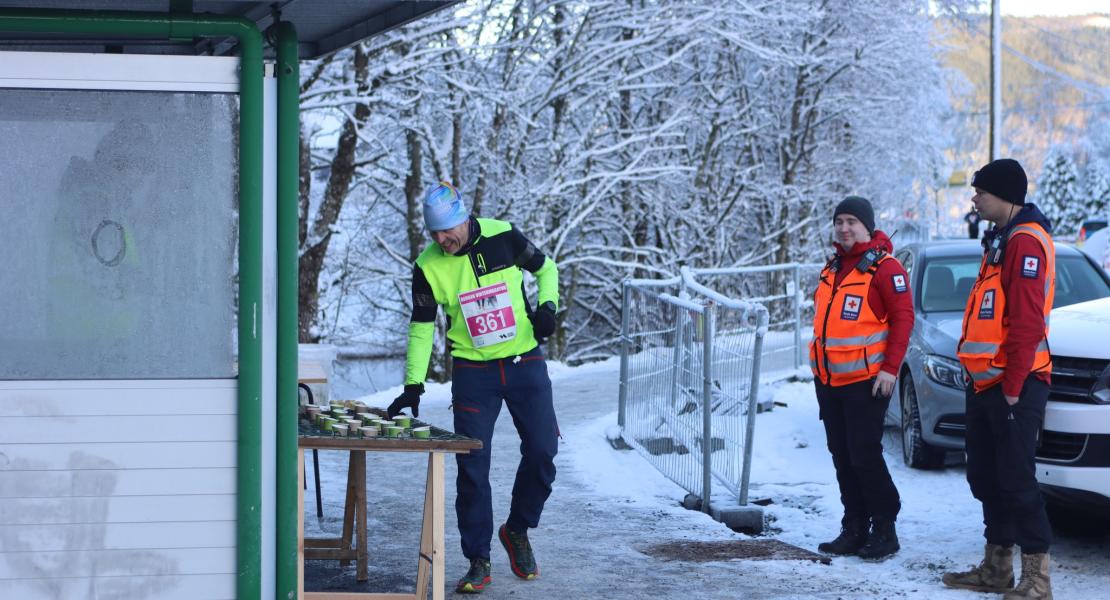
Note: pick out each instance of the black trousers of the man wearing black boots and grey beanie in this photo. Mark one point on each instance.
(854, 429)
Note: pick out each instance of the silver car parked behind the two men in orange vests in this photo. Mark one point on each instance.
(929, 404)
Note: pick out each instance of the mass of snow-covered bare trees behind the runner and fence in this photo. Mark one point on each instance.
(625, 138)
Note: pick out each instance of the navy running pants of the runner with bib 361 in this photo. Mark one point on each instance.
(478, 390)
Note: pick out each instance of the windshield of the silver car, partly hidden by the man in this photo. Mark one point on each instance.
(947, 283)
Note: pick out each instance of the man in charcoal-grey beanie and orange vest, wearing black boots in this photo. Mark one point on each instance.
(862, 327)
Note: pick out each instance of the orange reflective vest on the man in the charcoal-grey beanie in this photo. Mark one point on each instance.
(850, 340)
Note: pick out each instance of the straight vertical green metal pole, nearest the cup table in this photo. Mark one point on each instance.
(289, 171)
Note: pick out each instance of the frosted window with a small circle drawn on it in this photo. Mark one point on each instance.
(119, 231)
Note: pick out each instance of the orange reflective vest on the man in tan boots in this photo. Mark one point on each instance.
(986, 323)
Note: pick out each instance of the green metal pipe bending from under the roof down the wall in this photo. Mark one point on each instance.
(158, 26)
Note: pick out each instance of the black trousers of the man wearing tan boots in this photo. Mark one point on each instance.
(1002, 444)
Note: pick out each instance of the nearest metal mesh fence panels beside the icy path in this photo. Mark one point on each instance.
(690, 375)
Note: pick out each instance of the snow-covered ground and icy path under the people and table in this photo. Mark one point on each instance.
(610, 506)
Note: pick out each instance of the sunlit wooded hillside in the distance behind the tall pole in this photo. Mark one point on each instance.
(1056, 87)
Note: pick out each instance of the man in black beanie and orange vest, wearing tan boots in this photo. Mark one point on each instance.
(1005, 352)
